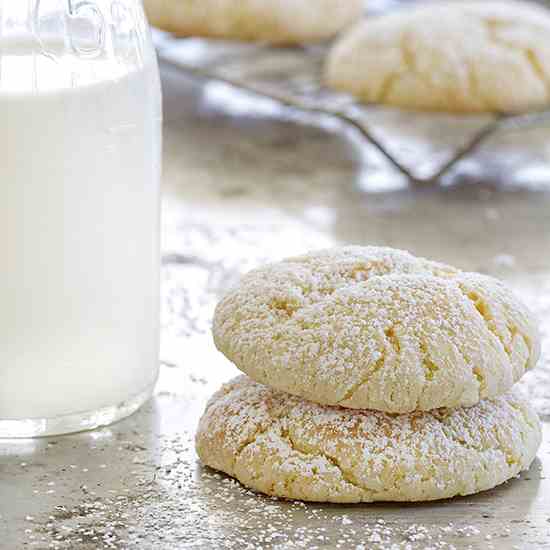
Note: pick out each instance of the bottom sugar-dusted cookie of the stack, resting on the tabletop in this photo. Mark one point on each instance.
(288, 447)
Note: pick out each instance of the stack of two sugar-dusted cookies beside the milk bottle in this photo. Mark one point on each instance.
(372, 375)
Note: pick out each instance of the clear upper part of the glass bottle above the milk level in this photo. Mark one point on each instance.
(67, 49)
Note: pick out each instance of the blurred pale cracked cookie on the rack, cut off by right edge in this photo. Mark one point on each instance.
(460, 57)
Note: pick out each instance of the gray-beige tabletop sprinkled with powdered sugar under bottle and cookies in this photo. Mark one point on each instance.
(245, 182)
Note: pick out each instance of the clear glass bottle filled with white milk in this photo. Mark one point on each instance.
(80, 123)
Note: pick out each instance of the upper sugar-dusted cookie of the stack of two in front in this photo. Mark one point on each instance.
(376, 328)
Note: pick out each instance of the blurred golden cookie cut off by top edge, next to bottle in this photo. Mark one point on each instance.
(276, 22)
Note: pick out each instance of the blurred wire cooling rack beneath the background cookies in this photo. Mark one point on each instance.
(292, 77)
